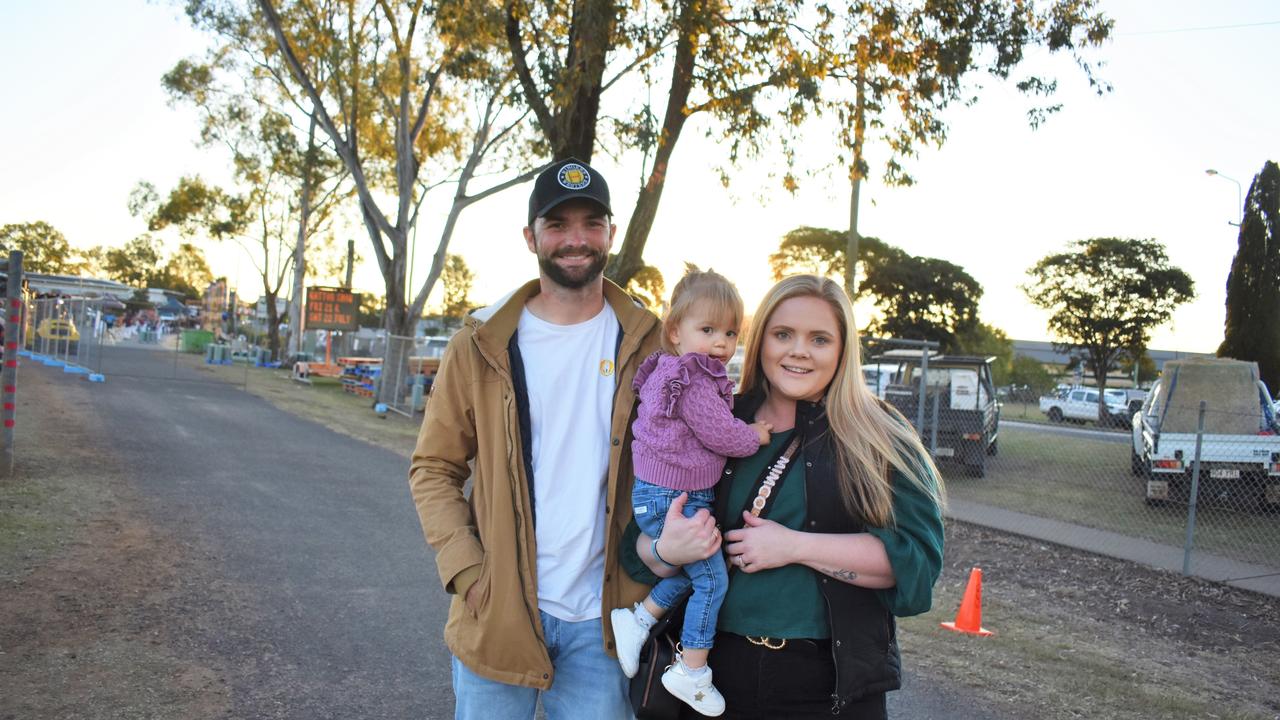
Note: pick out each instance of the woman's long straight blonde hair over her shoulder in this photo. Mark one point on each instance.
(870, 438)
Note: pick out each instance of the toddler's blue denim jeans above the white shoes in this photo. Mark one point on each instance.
(710, 578)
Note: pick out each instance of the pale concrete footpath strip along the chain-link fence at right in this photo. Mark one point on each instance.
(1258, 578)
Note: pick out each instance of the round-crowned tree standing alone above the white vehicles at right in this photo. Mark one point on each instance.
(1105, 297)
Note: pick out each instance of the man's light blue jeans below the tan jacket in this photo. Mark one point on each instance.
(588, 682)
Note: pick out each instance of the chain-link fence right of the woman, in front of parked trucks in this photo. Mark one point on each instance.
(1145, 480)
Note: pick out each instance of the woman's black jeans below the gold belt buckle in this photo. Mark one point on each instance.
(793, 683)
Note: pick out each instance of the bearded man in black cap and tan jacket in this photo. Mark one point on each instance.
(536, 393)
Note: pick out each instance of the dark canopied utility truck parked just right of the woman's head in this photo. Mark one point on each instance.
(962, 418)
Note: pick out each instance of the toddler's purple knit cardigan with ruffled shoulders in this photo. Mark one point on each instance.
(685, 426)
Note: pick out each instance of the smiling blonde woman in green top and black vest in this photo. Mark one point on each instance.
(852, 534)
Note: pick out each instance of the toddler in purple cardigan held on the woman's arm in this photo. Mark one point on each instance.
(684, 431)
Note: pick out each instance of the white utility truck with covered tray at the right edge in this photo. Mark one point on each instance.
(1241, 446)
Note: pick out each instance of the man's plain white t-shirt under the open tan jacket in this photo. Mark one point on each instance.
(569, 375)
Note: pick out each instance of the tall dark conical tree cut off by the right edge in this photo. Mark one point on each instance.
(1254, 286)
